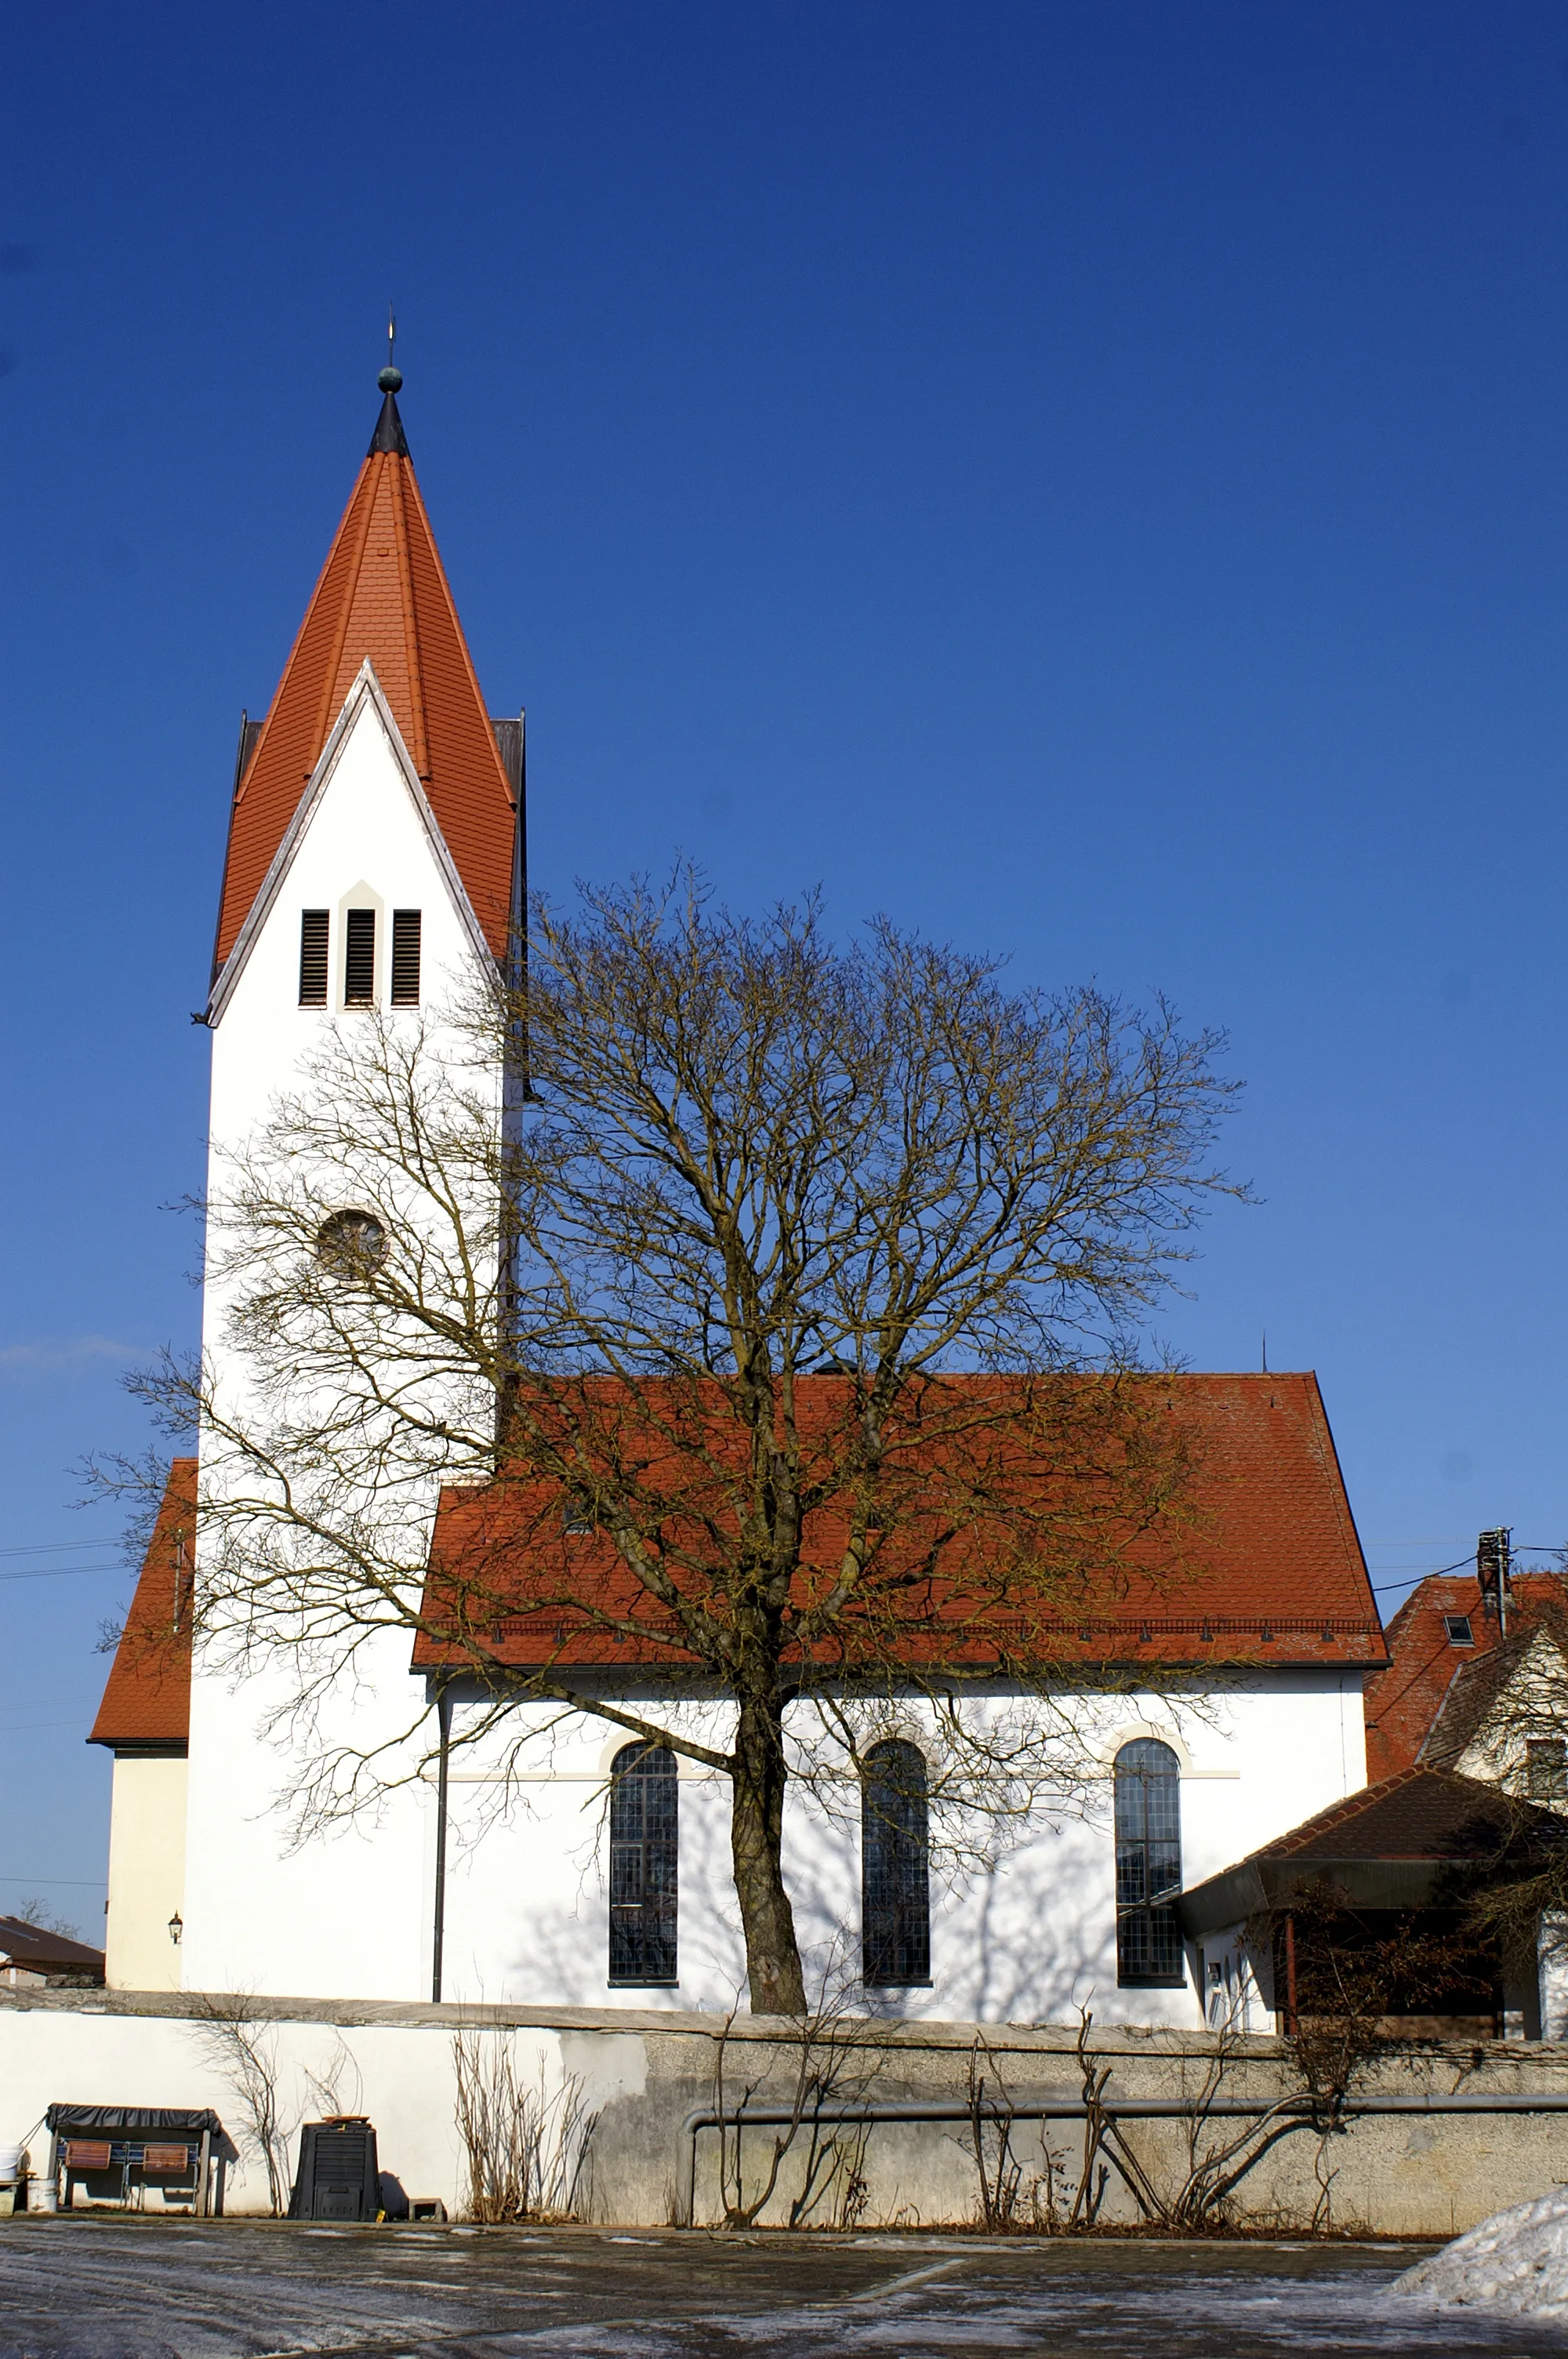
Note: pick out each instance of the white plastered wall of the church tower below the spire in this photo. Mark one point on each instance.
(348, 1910)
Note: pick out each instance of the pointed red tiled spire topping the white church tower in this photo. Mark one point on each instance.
(383, 596)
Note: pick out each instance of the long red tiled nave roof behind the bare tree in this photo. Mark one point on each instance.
(1265, 1568)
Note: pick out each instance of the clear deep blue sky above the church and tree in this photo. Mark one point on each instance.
(1086, 480)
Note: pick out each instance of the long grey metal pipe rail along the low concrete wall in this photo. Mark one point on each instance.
(1296, 2112)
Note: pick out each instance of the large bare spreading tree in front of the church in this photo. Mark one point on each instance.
(782, 1299)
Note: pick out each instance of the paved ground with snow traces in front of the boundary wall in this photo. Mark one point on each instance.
(152, 2289)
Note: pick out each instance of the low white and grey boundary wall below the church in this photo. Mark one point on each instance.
(643, 2072)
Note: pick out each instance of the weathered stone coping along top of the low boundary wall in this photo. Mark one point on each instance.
(1465, 2058)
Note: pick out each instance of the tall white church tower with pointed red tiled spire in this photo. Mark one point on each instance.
(374, 867)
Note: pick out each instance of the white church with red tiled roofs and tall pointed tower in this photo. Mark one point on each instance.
(376, 867)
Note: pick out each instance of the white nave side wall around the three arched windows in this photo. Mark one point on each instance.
(1027, 1940)
